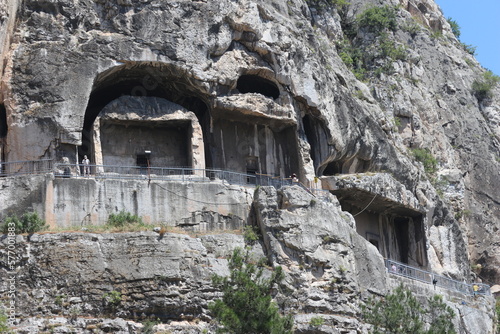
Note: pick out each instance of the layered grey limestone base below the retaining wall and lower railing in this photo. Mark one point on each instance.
(68, 280)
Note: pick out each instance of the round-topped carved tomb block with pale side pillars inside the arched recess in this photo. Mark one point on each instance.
(142, 131)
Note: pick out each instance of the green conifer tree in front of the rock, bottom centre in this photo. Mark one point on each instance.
(246, 305)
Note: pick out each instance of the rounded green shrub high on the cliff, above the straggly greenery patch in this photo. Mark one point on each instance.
(378, 19)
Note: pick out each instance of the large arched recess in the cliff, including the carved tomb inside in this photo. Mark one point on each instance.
(146, 113)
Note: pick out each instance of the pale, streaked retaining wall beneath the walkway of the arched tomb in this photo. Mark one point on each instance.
(77, 202)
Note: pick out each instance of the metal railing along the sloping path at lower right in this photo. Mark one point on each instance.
(401, 269)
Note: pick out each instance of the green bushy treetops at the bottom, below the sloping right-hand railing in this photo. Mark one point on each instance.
(401, 313)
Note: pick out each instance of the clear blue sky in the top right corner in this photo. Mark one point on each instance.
(479, 21)
